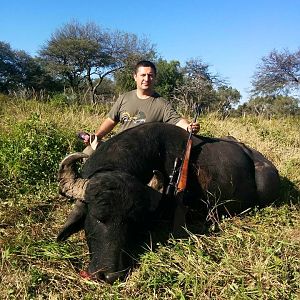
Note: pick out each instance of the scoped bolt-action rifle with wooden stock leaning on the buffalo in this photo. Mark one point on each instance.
(178, 178)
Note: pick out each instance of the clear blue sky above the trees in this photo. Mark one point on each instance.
(231, 36)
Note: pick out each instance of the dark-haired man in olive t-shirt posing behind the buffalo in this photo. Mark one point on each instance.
(140, 106)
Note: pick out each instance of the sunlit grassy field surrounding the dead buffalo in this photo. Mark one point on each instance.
(252, 256)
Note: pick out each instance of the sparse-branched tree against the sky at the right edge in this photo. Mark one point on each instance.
(279, 72)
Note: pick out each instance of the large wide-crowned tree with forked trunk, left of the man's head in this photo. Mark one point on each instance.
(79, 54)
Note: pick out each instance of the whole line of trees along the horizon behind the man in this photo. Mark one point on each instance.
(89, 64)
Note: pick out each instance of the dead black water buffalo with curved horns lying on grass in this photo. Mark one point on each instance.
(113, 197)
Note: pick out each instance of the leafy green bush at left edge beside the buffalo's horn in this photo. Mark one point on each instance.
(30, 155)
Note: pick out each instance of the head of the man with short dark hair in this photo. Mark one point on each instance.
(144, 76)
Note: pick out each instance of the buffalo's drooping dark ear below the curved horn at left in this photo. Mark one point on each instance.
(75, 221)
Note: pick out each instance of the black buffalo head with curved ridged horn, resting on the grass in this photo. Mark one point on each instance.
(109, 205)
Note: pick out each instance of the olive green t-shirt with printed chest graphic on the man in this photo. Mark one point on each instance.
(131, 111)
